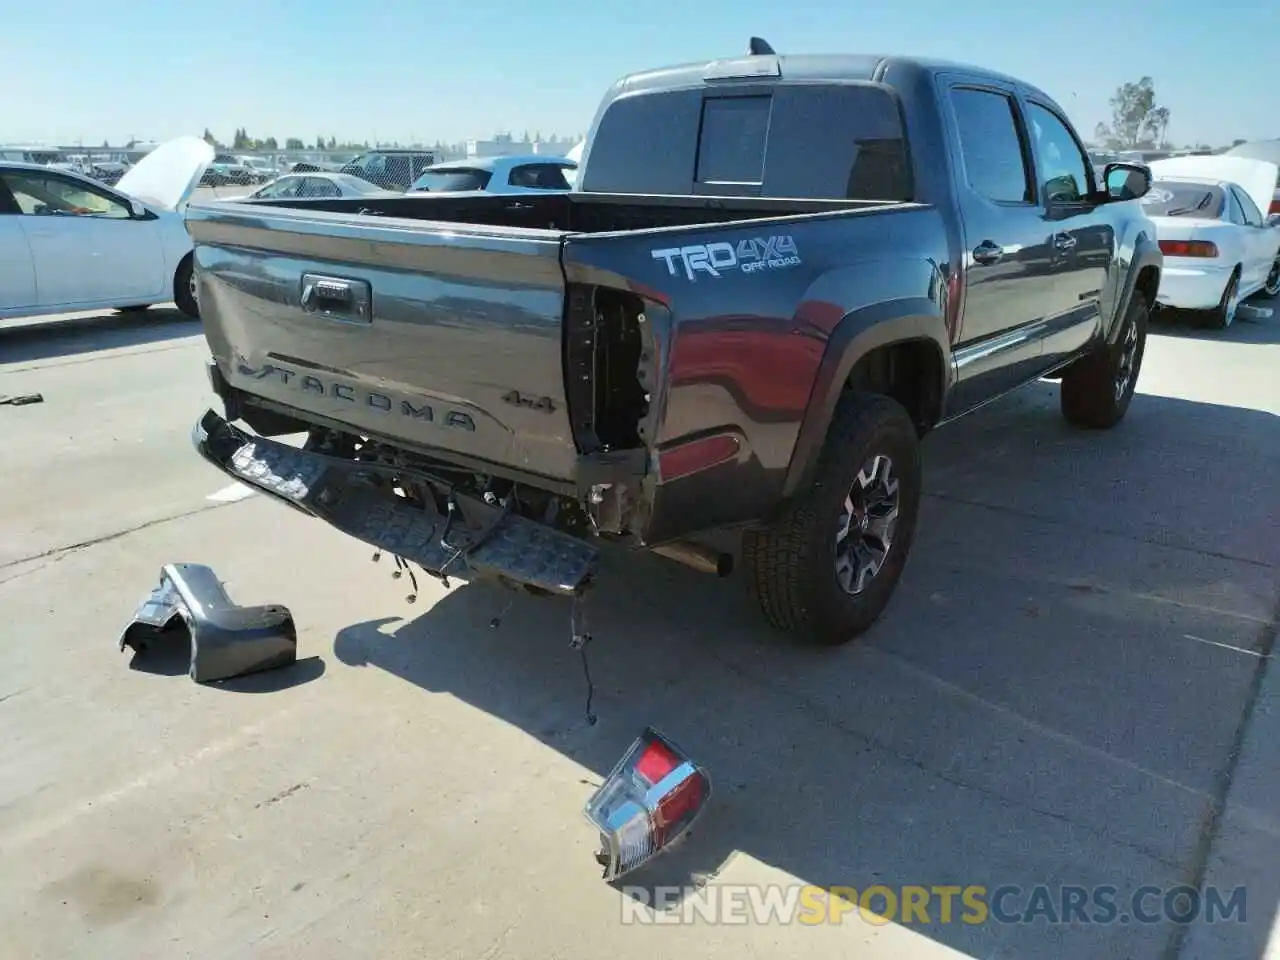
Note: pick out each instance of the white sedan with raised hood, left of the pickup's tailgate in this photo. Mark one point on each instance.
(71, 244)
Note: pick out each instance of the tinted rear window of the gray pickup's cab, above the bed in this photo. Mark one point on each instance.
(762, 145)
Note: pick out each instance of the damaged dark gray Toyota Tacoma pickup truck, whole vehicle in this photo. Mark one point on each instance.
(774, 277)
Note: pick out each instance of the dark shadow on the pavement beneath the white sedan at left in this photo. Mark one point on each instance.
(40, 339)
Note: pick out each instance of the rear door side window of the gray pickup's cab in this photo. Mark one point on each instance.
(991, 147)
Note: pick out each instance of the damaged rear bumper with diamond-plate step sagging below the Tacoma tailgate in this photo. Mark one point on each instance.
(346, 495)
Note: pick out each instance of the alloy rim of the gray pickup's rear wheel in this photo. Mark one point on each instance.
(868, 519)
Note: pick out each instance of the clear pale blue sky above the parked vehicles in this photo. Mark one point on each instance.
(394, 70)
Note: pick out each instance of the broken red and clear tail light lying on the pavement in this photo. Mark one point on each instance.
(647, 803)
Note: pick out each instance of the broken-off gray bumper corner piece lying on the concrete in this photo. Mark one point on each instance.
(227, 641)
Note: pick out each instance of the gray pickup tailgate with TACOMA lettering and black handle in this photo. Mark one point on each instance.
(440, 336)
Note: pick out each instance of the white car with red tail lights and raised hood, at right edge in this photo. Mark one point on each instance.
(1219, 246)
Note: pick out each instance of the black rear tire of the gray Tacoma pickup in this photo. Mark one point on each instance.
(793, 563)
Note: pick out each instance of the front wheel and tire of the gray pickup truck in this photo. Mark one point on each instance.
(1094, 395)
